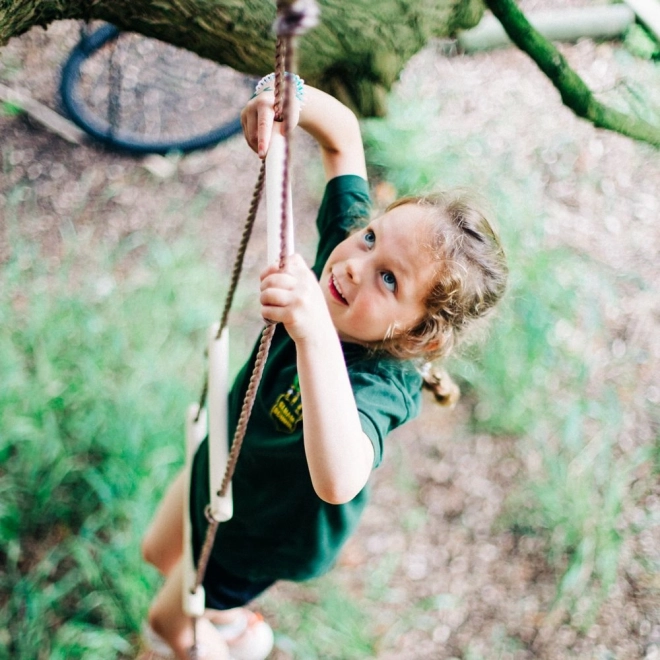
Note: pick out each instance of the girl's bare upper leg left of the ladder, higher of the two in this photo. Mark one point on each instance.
(162, 545)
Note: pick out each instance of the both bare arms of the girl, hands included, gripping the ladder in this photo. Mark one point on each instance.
(339, 454)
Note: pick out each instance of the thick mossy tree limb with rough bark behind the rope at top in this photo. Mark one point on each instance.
(356, 53)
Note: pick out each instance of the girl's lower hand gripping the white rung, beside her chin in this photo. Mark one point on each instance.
(294, 298)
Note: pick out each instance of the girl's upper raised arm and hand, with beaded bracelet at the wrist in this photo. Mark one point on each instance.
(327, 120)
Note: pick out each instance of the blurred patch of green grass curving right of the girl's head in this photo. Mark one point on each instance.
(538, 374)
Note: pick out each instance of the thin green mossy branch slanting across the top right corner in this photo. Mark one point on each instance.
(574, 92)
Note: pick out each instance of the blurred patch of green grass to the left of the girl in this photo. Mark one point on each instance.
(97, 368)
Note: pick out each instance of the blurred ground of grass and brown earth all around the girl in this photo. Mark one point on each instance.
(524, 523)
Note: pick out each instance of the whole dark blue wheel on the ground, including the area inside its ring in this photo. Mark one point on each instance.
(144, 96)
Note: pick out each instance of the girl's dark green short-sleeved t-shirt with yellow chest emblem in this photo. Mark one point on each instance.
(281, 529)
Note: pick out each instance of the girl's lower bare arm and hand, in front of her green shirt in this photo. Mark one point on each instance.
(339, 454)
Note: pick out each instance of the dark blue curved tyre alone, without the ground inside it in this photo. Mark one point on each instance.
(101, 130)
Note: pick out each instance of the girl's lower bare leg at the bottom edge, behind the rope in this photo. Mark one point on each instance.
(167, 619)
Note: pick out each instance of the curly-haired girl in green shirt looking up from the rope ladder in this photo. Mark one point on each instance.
(343, 371)
